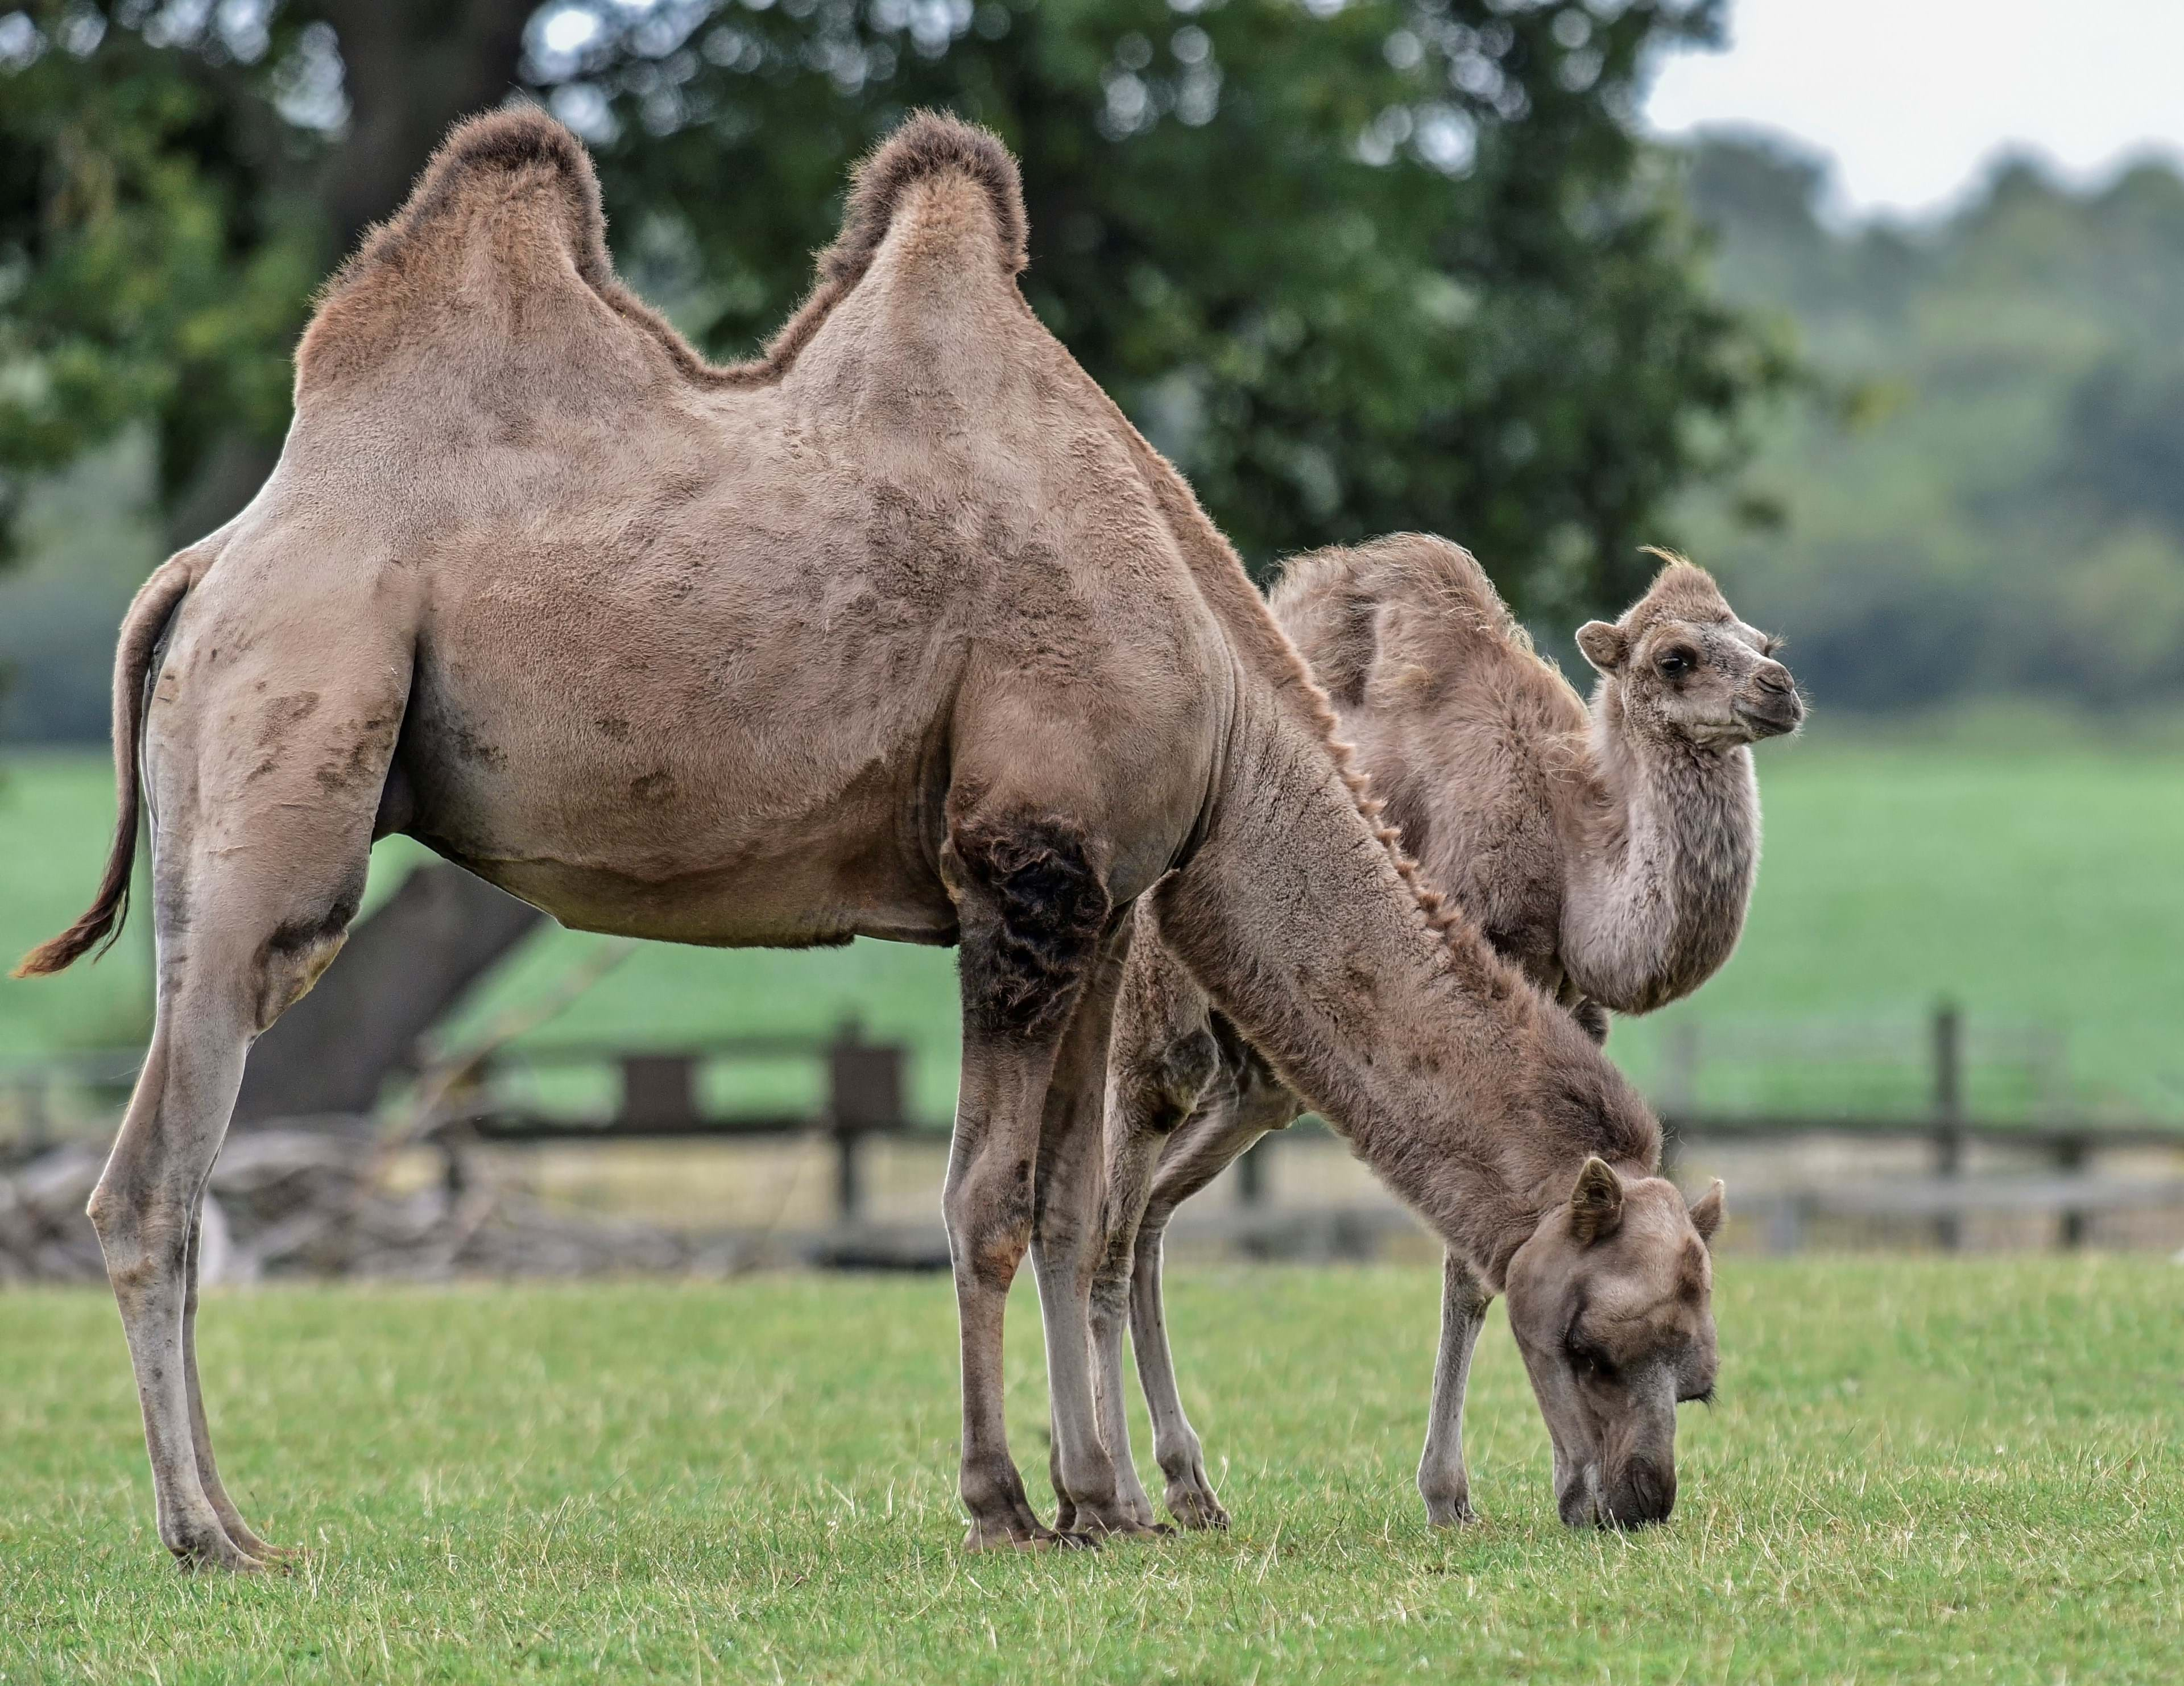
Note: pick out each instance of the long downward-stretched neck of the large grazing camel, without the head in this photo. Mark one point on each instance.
(1456, 1080)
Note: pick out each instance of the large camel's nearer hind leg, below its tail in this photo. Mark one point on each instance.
(259, 864)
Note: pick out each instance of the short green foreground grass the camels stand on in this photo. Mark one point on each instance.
(1916, 1471)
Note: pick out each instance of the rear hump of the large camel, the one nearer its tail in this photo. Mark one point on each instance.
(512, 189)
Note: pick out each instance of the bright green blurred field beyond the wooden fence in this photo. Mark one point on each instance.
(2037, 888)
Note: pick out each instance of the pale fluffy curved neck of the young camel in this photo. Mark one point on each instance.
(1663, 866)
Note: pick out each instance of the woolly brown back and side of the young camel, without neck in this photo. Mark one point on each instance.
(1473, 741)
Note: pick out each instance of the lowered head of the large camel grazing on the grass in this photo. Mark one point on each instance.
(1611, 1303)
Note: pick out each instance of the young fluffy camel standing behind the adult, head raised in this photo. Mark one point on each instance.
(1611, 855)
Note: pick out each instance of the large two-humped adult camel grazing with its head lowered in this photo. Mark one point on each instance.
(897, 632)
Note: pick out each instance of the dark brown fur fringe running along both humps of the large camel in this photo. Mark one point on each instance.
(521, 145)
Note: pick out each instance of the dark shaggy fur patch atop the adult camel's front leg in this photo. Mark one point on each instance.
(1025, 964)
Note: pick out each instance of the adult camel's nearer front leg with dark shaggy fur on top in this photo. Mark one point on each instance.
(1032, 912)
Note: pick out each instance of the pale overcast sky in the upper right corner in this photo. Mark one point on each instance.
(1916, 97)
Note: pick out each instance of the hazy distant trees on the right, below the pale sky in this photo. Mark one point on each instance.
(2002, 506)
